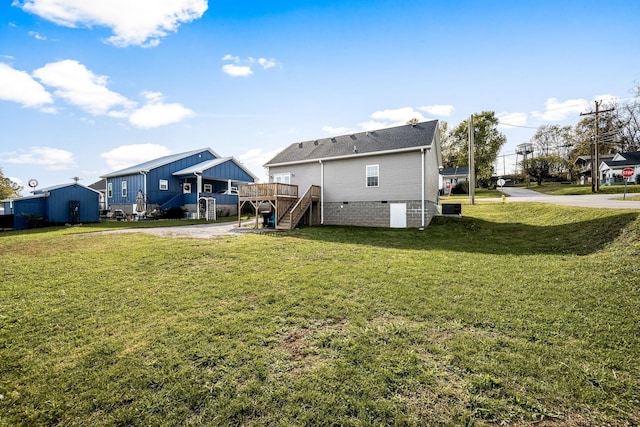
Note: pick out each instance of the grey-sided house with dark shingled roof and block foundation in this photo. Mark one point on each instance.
(381, 178)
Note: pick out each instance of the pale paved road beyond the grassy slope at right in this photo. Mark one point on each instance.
(605, 201)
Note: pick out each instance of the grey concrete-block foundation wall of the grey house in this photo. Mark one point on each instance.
(375, 214)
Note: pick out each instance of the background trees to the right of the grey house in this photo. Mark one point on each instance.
(555, 147)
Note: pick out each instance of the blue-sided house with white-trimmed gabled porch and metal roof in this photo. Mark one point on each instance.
(199, 181)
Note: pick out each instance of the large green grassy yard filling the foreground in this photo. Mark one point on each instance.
(515, 314)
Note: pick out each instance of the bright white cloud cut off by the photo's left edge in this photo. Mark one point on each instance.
(19, 86)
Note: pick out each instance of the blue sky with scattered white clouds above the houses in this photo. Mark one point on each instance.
(87, 88)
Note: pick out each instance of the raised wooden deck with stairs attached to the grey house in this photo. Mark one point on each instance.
(283, 199)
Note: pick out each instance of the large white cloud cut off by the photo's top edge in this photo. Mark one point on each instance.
(133, 22)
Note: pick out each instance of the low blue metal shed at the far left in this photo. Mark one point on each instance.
(58, 205)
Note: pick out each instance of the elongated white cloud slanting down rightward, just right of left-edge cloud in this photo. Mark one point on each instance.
(79, 86)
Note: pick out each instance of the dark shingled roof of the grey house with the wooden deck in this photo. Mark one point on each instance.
(389, 139)
